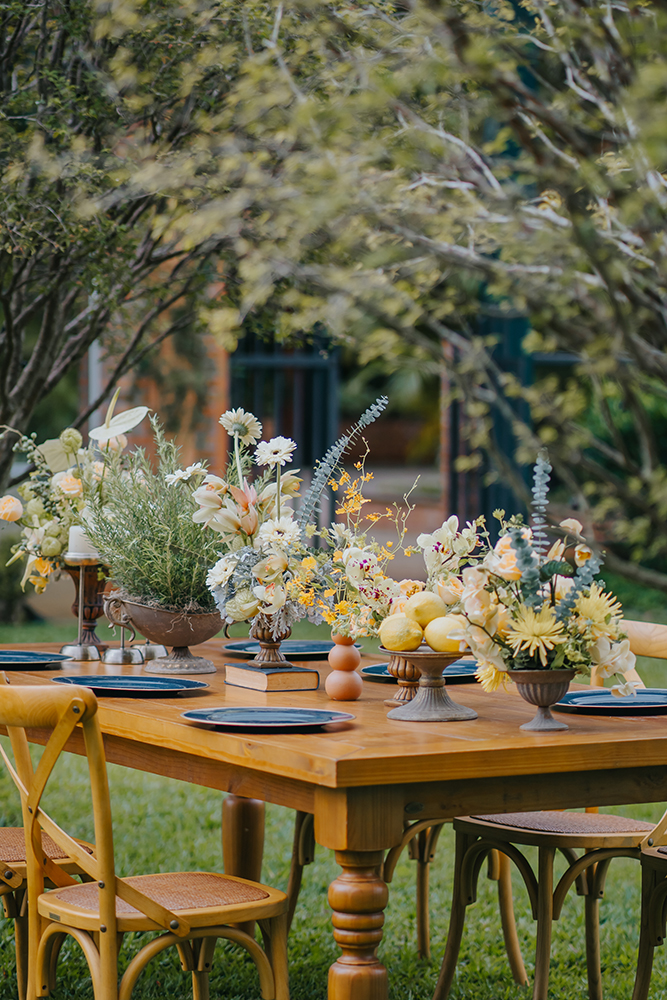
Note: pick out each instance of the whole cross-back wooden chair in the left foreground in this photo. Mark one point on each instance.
(192, 909)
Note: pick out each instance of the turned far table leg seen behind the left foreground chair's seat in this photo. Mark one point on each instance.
(243, 840)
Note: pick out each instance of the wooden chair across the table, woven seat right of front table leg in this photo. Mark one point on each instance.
(599, 836)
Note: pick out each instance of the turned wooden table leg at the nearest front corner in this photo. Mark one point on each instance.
(357, 897)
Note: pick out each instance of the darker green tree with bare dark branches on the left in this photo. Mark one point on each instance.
(91, 96)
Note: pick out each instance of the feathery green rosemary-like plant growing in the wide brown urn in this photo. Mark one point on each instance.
(145, 533)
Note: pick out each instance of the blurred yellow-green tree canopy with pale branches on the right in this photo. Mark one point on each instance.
(394, 169)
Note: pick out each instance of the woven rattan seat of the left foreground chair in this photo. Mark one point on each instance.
(173, 890)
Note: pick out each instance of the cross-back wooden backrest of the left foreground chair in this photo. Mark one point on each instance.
(62, 710)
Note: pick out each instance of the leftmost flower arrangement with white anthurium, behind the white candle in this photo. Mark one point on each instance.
(64, 478)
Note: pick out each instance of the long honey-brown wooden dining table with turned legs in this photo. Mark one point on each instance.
(366, 779)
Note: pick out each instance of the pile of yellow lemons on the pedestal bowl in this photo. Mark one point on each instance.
(424, 619)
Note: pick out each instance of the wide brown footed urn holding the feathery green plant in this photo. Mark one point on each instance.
(177, 629)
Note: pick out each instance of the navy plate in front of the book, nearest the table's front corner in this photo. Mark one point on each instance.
(273, 719)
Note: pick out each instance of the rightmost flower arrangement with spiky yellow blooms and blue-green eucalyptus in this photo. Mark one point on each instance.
(527, 607)
